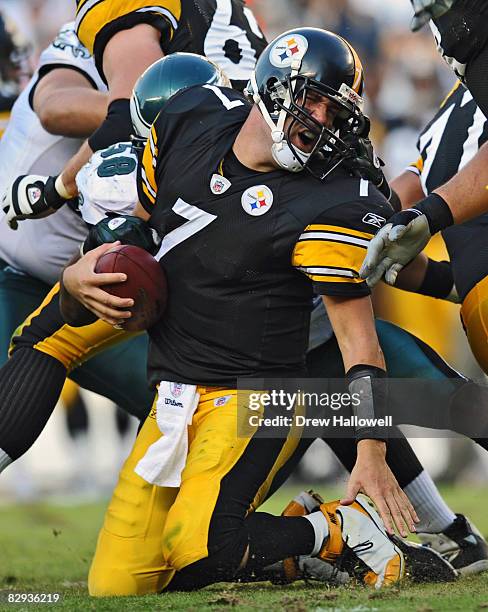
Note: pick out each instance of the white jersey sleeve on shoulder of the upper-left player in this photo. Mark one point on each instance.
(67, 49)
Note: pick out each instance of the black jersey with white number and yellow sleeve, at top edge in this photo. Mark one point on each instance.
(225, 31)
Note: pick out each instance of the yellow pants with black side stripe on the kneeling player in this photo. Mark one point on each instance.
(150, 531)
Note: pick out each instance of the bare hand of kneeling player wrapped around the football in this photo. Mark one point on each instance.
(82, 282)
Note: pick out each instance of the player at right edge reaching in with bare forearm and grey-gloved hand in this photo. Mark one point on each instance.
(459, 27)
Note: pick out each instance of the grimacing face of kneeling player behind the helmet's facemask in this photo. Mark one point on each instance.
(304, 135)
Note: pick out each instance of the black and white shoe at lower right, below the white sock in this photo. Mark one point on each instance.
(461, 544)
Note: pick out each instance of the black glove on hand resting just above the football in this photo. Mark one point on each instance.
(125, 228)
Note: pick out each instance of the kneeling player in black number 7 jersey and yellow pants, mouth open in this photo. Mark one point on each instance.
(248, 234)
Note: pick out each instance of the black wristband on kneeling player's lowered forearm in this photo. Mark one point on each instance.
(368, 386)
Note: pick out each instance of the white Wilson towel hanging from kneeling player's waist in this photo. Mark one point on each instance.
(165, 459)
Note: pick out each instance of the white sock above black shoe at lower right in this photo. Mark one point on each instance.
(433, 512)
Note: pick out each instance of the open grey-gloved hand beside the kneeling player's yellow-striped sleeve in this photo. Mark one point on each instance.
(395, 245)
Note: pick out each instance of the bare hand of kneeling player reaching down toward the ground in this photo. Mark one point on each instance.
(372, 476)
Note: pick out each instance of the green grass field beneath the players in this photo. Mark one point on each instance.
(47, 548)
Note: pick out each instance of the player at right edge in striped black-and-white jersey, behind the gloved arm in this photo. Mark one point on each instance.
(447, 145)
